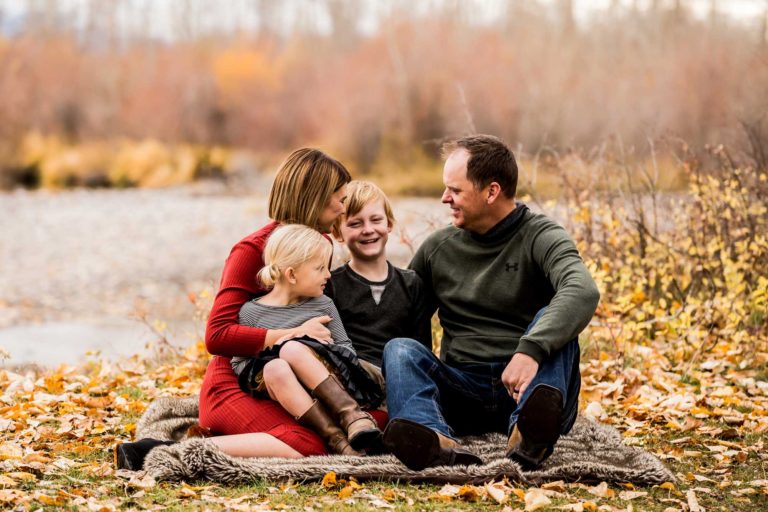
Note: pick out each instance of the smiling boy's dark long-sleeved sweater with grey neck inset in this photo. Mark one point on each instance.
(399, 313)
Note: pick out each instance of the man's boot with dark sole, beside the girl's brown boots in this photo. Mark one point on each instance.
(419, 447)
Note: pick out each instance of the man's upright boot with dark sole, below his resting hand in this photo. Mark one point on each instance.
(538, 427)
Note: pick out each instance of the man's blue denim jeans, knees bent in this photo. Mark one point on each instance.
(470, 398)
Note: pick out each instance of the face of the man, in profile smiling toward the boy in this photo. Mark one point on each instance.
(467, 203)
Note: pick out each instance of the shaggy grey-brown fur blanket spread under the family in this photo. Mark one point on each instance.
(591, 452)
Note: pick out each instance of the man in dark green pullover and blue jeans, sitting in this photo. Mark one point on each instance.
(512, 295)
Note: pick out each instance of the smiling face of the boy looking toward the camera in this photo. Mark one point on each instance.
(365, 234)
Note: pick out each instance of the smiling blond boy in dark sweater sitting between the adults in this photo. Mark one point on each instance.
(376, 300)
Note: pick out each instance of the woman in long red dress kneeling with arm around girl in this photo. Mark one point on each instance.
(309, 189)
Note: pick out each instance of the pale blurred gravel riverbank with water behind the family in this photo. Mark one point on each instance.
(78, 267)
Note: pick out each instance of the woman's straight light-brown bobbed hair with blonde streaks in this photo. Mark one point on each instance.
(304, 185)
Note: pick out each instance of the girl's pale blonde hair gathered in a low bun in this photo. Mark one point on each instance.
(291, 245)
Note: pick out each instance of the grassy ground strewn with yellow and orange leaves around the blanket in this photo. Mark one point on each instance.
(709, 424)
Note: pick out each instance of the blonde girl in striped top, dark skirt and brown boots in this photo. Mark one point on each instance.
(296, 259)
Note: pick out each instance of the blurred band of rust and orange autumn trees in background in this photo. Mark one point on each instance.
(383, 98)
